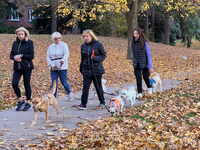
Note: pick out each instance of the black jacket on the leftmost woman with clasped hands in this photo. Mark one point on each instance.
(27, 49)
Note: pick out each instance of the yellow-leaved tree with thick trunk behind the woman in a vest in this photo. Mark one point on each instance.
(81, 9)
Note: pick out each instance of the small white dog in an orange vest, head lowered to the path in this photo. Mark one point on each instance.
(116, 105)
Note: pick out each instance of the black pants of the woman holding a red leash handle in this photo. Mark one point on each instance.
(86, 85)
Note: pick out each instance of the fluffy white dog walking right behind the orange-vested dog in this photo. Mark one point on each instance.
(129, 95)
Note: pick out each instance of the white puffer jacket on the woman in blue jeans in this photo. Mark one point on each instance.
(56, 53)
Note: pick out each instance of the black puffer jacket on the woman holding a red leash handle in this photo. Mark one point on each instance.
(88, 66)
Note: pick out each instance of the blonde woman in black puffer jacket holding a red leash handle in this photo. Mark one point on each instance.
(91, 67)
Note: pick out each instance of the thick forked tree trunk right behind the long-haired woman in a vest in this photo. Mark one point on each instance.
(132, 22)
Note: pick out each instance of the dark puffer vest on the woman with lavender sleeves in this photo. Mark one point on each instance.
(139, 56)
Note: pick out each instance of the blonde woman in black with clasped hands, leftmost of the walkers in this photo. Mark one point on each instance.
(22, 53)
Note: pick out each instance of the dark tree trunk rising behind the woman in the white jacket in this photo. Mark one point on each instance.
(53, 16)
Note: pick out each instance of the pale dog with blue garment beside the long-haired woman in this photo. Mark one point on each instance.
(155, 81)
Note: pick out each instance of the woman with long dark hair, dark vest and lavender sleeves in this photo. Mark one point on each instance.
(141, 60)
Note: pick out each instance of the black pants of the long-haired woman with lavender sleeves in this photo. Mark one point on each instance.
(138, 75)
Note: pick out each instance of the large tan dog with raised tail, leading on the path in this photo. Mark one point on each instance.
(43, 102)
